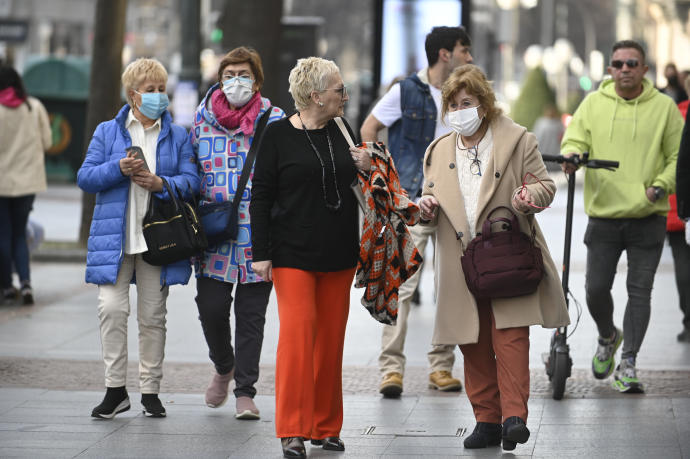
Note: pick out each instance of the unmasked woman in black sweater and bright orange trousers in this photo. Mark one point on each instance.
(305, 238)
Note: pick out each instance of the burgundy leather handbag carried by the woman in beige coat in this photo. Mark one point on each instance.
(502, 264)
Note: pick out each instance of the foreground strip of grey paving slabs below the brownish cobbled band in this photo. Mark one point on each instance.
(40, 423)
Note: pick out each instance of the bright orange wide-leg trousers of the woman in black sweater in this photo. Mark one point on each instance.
(313, 309)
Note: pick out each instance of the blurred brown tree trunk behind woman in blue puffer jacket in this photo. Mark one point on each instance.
(104, 85)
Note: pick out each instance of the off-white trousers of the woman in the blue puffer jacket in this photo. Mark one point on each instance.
(113, 312)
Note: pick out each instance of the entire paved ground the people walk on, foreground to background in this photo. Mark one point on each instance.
(51, 377)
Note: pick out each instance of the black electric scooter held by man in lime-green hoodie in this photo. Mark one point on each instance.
(558, 362)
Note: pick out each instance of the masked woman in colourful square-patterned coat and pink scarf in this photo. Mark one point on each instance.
(224, 128)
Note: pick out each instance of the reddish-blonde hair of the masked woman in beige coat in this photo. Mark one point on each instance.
(470, 78)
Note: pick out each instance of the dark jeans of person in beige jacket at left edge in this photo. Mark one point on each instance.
(14, 215)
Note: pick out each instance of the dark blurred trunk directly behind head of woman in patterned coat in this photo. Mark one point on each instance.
(256, 24)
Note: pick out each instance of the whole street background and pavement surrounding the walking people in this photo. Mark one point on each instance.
(543, 56)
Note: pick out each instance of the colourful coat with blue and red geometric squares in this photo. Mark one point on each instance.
(221, 155)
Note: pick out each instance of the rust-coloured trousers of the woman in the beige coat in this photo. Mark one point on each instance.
(497, 369)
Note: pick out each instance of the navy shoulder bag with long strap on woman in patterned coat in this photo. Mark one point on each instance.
(220, 219)
